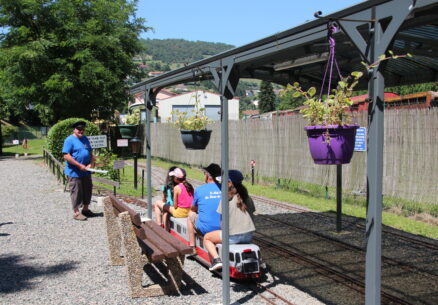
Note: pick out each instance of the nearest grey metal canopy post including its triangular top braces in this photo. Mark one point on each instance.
(397, 11)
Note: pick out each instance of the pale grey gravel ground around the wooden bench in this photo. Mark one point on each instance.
(46, 257)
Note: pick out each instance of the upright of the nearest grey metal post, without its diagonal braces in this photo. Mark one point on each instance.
(375, 175)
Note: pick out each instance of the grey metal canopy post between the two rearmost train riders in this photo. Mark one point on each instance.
(226, 87)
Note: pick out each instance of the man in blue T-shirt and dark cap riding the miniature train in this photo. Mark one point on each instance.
(203, 216)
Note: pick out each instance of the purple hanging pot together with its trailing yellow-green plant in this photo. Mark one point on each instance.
(331, 135)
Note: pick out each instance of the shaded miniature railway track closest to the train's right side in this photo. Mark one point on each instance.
(333, 274)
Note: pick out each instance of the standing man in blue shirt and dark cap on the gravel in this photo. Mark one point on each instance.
(79, 158)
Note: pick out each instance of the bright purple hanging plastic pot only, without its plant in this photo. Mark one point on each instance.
(340, 148)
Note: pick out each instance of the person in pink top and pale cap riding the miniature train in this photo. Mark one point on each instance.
(182, 197)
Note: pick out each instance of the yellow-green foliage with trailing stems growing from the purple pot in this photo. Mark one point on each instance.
(333, 109)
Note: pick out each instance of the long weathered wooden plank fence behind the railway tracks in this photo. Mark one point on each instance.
(280, 149)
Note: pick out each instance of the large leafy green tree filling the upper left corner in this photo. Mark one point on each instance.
(67, 57)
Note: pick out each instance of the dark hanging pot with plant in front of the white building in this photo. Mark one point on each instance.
(193, 127)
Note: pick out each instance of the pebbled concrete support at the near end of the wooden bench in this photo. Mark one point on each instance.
(135, 261)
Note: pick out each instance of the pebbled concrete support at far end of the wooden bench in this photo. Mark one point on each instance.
(113, 233)
